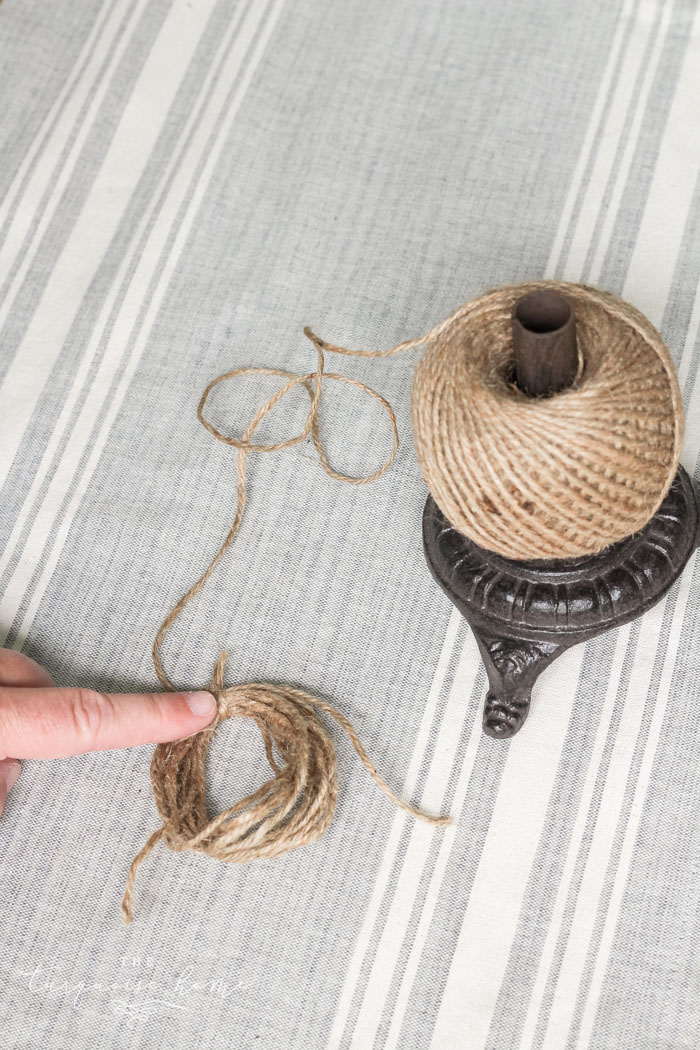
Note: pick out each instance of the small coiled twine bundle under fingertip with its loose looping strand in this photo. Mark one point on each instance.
(296, 806)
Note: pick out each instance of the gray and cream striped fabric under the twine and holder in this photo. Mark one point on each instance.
(184, 185)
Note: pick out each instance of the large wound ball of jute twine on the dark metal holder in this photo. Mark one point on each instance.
(557, 477)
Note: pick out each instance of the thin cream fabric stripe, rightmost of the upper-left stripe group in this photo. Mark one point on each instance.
(251, 25)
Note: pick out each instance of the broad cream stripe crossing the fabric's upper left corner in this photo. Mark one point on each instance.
(102, 213)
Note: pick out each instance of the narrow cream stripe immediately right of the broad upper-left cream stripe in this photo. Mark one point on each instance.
(142, 270)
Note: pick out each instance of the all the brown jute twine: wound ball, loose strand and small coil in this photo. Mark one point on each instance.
(529, 478)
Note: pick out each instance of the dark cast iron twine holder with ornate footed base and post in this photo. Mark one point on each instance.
(526, 614)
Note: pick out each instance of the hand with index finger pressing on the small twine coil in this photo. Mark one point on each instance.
(38, 721)
